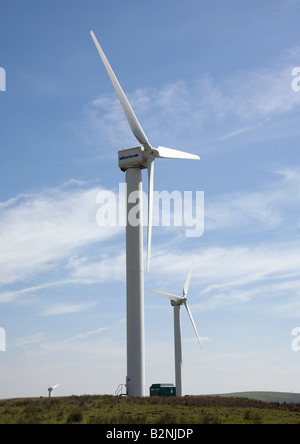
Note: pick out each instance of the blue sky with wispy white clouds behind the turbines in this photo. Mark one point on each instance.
(208, 77)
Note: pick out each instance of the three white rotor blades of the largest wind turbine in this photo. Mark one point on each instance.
(150, 152)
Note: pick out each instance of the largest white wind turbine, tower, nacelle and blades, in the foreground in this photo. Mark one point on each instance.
(132, 161)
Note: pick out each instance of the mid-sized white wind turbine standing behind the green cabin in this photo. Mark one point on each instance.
(177, 302)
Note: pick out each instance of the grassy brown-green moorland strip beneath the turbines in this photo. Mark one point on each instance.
(114, 410)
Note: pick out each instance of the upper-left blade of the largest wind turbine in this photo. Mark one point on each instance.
(131, 117)
